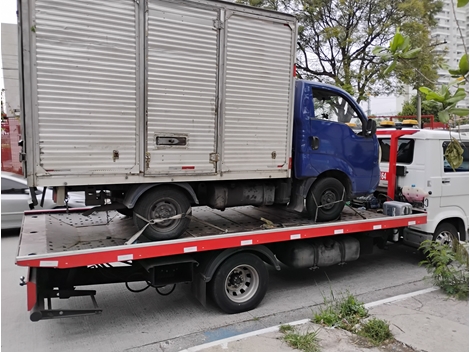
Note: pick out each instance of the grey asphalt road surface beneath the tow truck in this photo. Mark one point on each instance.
(150, 322)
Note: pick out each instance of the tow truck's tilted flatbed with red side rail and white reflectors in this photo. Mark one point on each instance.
(61, 239)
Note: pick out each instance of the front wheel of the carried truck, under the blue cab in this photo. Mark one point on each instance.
(321, 194)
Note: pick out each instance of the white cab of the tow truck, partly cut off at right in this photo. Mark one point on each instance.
(426, 180)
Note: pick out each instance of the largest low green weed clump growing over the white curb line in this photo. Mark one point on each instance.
(345, 312)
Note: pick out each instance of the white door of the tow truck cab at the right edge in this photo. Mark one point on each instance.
(454, 184)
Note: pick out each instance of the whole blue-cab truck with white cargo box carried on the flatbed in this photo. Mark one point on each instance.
(184, 103)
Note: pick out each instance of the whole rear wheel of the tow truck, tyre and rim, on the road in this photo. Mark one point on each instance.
(240, 283)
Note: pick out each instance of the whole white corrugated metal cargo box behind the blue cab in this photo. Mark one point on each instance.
(128, 91)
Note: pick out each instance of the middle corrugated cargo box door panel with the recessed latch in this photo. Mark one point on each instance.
(182, 84)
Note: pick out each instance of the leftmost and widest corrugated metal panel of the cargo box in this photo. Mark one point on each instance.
(86, 60)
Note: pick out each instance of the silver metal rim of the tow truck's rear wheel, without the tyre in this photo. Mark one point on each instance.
(241, 283)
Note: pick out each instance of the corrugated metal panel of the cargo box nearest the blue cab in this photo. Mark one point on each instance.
(257, 95)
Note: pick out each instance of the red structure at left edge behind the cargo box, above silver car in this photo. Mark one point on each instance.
(11, 135)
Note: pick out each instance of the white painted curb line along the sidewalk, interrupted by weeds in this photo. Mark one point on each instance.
(300, 322)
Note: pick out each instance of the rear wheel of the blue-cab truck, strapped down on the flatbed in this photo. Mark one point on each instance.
(158, 203)
